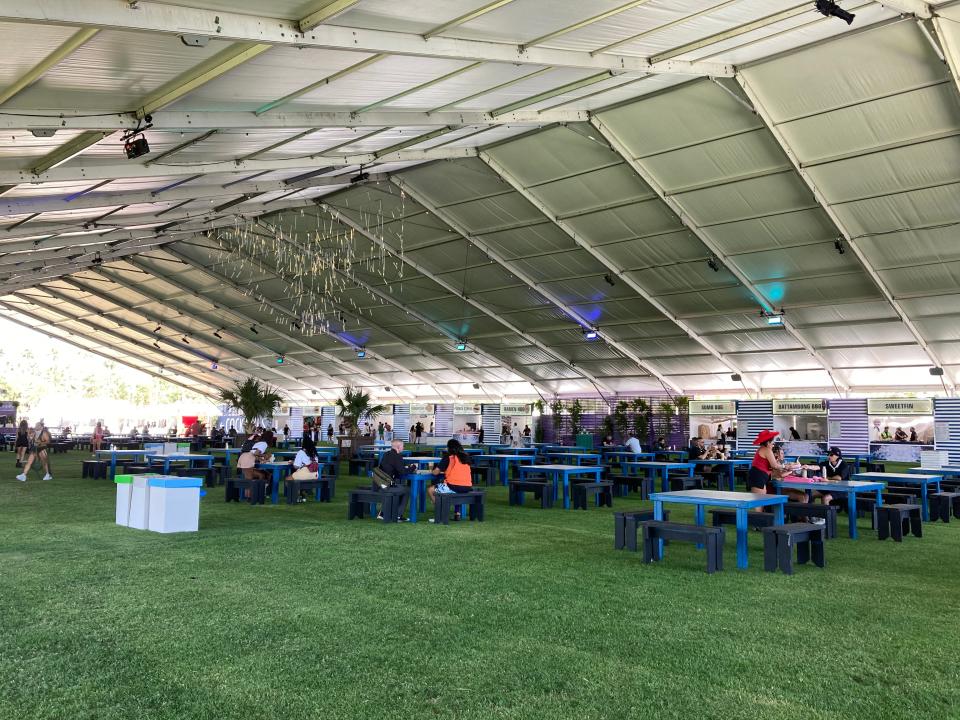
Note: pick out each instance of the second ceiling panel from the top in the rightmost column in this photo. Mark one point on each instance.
(923, 112)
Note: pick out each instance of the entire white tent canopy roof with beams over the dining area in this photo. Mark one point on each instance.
(397, 178)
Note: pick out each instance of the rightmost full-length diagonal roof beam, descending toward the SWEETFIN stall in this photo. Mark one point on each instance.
(854, 245)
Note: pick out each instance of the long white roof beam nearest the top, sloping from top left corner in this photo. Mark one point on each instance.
(178, 20)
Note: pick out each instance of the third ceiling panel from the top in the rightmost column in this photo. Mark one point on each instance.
(883, 173)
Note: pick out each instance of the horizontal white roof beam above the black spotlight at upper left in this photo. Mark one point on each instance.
(201, 120)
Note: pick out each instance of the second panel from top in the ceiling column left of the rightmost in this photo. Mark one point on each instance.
(716, 161)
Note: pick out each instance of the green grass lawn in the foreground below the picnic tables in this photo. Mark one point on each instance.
(293, 612)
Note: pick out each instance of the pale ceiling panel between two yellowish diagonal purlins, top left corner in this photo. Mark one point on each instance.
(113, 71)
